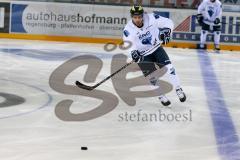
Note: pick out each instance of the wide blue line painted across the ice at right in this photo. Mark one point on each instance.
(226, 136)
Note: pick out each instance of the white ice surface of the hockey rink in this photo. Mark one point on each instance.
(31, 130)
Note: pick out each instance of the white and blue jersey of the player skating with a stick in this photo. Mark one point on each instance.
(146, 39)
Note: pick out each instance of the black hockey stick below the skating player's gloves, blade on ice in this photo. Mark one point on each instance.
(83, 86)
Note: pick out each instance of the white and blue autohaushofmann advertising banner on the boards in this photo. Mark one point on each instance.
(30, 18)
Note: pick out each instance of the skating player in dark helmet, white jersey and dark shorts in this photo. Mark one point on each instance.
(147, 32)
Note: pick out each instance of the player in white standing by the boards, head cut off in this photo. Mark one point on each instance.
(209, 16)
